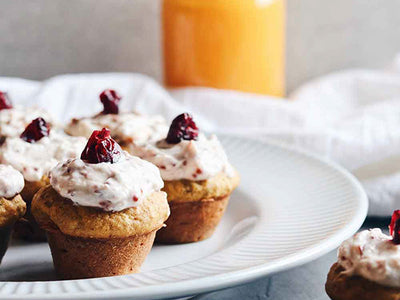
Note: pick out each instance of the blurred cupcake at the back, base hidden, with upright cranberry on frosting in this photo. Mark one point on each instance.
(125, 127)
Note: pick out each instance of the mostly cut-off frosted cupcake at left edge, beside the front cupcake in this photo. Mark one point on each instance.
(12, 207)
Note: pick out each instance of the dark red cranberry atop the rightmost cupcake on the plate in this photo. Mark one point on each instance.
(182, 128)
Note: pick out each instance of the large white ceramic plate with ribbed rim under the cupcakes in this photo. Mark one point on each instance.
(289, 209)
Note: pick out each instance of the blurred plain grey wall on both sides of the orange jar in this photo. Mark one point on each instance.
(43, 38)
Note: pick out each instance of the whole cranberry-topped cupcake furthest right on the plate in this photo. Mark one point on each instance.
(198, 180)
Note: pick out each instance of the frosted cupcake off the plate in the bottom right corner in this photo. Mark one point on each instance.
(368, 266)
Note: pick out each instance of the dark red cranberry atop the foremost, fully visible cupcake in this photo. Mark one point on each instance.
(101, 148)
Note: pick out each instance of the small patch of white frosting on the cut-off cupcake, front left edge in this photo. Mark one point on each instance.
(11, 181)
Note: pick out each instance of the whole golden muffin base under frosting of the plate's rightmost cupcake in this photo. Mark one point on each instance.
(196, 208)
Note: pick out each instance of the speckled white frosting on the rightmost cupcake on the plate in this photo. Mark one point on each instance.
(194, 160)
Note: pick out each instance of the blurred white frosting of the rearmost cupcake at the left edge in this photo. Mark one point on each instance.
(13, 121)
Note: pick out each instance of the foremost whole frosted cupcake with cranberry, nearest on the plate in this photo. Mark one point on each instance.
(101, 212)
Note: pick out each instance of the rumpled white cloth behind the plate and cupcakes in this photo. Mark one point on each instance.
(351, 117)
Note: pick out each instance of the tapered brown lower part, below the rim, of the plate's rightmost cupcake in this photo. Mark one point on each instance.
(192, 221)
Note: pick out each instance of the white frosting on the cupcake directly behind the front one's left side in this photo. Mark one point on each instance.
(34, 160)
